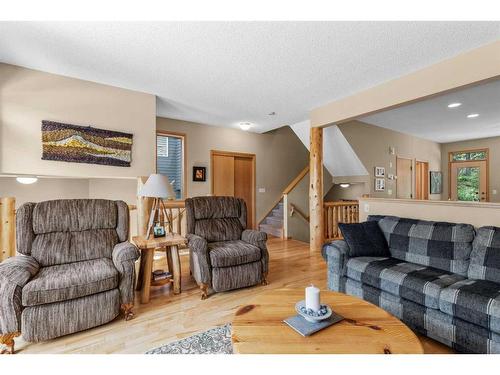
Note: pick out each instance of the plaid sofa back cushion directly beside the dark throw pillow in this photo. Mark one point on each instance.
(446, 246)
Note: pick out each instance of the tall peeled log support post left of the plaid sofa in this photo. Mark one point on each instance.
(316, 223)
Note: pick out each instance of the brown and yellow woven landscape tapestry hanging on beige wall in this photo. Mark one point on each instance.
(84, 144)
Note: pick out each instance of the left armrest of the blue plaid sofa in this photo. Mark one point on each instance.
(337, 255)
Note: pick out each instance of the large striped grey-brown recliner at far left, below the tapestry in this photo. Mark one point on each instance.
(76, 270)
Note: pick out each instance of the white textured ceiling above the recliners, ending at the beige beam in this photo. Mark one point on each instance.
(222, 73)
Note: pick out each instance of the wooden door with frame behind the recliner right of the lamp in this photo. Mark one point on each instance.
(233, 174)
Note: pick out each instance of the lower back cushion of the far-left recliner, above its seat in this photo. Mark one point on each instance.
(66, 247)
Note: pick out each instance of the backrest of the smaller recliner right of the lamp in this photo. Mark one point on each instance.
(216, 218)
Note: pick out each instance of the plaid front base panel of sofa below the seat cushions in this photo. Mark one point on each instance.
(450, 330)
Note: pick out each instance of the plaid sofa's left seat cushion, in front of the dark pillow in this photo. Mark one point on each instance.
(413, 282)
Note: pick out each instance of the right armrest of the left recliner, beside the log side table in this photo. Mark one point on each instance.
(124, 256)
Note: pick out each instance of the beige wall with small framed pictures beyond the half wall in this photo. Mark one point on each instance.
(371, 143)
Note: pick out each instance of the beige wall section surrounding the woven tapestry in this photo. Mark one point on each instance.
(28, 96)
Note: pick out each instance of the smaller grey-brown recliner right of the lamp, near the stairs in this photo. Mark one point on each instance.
(224, 255)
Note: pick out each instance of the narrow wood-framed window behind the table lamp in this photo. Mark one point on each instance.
(170, 160)
